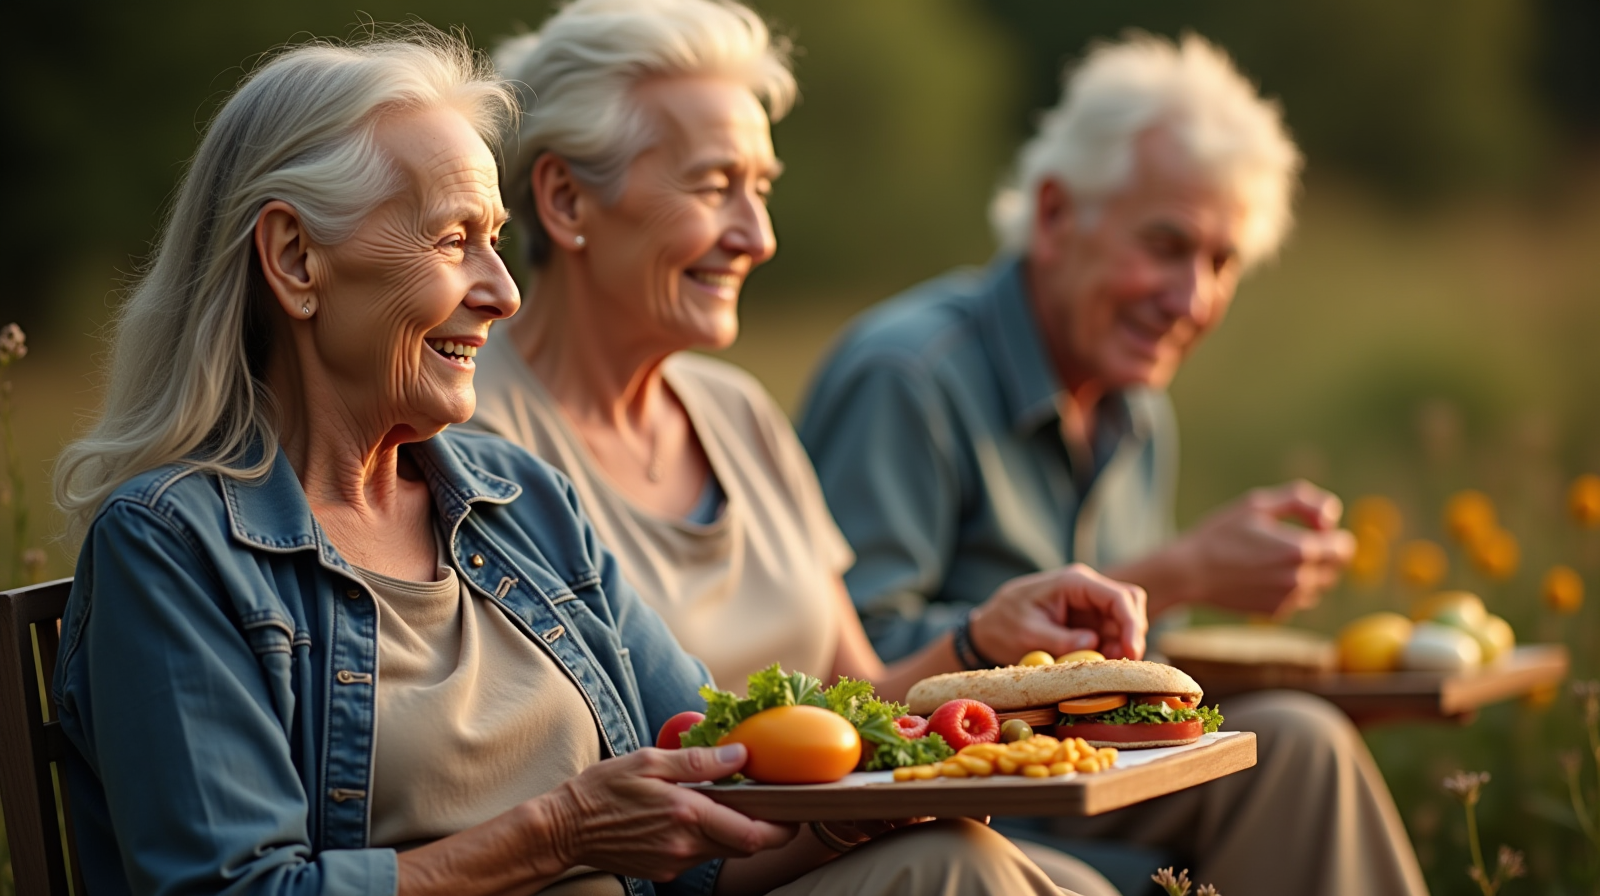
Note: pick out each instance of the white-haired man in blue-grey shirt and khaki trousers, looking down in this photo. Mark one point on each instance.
(996, 423)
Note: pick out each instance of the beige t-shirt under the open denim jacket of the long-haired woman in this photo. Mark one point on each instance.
(473, 719)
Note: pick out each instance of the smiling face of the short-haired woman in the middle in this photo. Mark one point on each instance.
(671, 255)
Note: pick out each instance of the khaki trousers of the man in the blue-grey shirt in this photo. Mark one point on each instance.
(1313, 818)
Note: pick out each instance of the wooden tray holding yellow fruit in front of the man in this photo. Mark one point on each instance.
(1374, 695)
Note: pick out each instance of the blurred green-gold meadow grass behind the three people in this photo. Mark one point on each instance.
(1330, 358)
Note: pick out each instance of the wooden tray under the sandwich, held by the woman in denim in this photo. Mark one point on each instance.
(1138, 777)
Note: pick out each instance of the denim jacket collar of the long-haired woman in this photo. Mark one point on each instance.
(273, 514)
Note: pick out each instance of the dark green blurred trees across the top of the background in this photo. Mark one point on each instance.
(911, 113)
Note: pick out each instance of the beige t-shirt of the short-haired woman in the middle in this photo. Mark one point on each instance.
(754, 588)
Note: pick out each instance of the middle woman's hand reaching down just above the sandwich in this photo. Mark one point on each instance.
(1060, 612)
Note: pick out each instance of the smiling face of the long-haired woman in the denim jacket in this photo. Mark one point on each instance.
(407, 302)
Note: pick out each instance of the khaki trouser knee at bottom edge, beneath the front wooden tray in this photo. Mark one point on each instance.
(938, 858)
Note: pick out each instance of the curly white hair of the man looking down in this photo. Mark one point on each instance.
(1190, 90)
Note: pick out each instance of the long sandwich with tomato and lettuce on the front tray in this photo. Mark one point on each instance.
(1114, 703)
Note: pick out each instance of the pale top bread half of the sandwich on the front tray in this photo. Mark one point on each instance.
(1023, 687)
